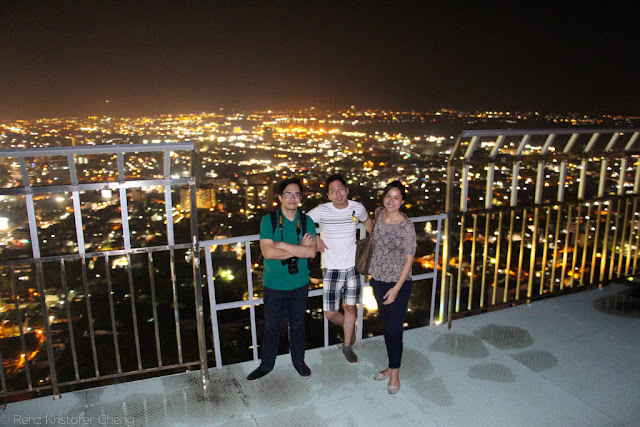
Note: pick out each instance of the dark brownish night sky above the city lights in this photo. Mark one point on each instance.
(68, 58)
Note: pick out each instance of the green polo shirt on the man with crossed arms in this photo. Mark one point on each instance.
(276, 275)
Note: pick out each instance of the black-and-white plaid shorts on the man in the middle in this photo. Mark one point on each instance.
(345, 284)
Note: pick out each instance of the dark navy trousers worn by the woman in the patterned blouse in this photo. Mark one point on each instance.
(392, 316)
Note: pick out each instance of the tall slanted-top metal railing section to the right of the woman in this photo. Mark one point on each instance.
(534, 212)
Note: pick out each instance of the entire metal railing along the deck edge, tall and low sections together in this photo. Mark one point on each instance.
(529, 213)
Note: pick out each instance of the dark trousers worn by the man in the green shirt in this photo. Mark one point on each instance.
(277, 305)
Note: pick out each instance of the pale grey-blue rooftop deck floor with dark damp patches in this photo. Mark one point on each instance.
(570, 360)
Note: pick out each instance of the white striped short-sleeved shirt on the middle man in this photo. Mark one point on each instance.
(338, 231)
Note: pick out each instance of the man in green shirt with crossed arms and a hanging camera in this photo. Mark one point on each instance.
(285, 247)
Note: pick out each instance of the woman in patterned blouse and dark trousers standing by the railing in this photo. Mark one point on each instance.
(395, 248)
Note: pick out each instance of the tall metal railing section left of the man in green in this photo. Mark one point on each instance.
(73, 294)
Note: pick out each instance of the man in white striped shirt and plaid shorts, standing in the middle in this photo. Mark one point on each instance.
(338, 220)
